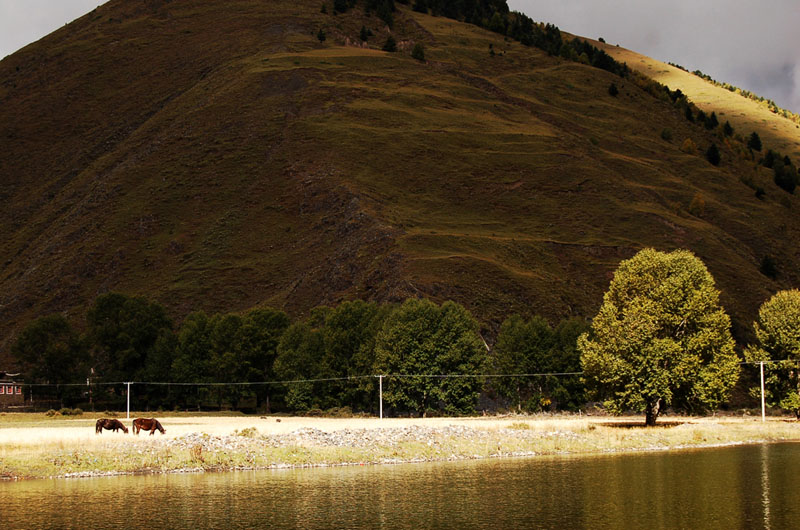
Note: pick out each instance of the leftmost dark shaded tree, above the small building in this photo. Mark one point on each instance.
(49, 350)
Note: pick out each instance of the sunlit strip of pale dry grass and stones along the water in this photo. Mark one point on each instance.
(62, 449)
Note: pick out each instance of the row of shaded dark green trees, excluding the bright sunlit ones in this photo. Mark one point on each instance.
(329, 357)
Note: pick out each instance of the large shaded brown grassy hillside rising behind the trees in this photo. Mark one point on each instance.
(215, 155)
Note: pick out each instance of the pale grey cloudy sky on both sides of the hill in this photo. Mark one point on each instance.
(752, 44)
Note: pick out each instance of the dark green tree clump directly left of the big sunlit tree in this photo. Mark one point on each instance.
(533, 347)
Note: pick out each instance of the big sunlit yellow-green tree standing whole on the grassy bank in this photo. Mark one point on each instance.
(660, 338)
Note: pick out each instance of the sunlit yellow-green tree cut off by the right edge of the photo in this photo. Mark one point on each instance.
(778, 334)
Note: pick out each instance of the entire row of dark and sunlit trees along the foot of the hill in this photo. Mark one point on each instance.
(660, 340)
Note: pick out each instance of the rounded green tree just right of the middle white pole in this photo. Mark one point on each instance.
(421, 341)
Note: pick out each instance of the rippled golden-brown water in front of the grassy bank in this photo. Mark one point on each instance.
(736, 487)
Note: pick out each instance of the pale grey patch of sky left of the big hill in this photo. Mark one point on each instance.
(26, 21)
